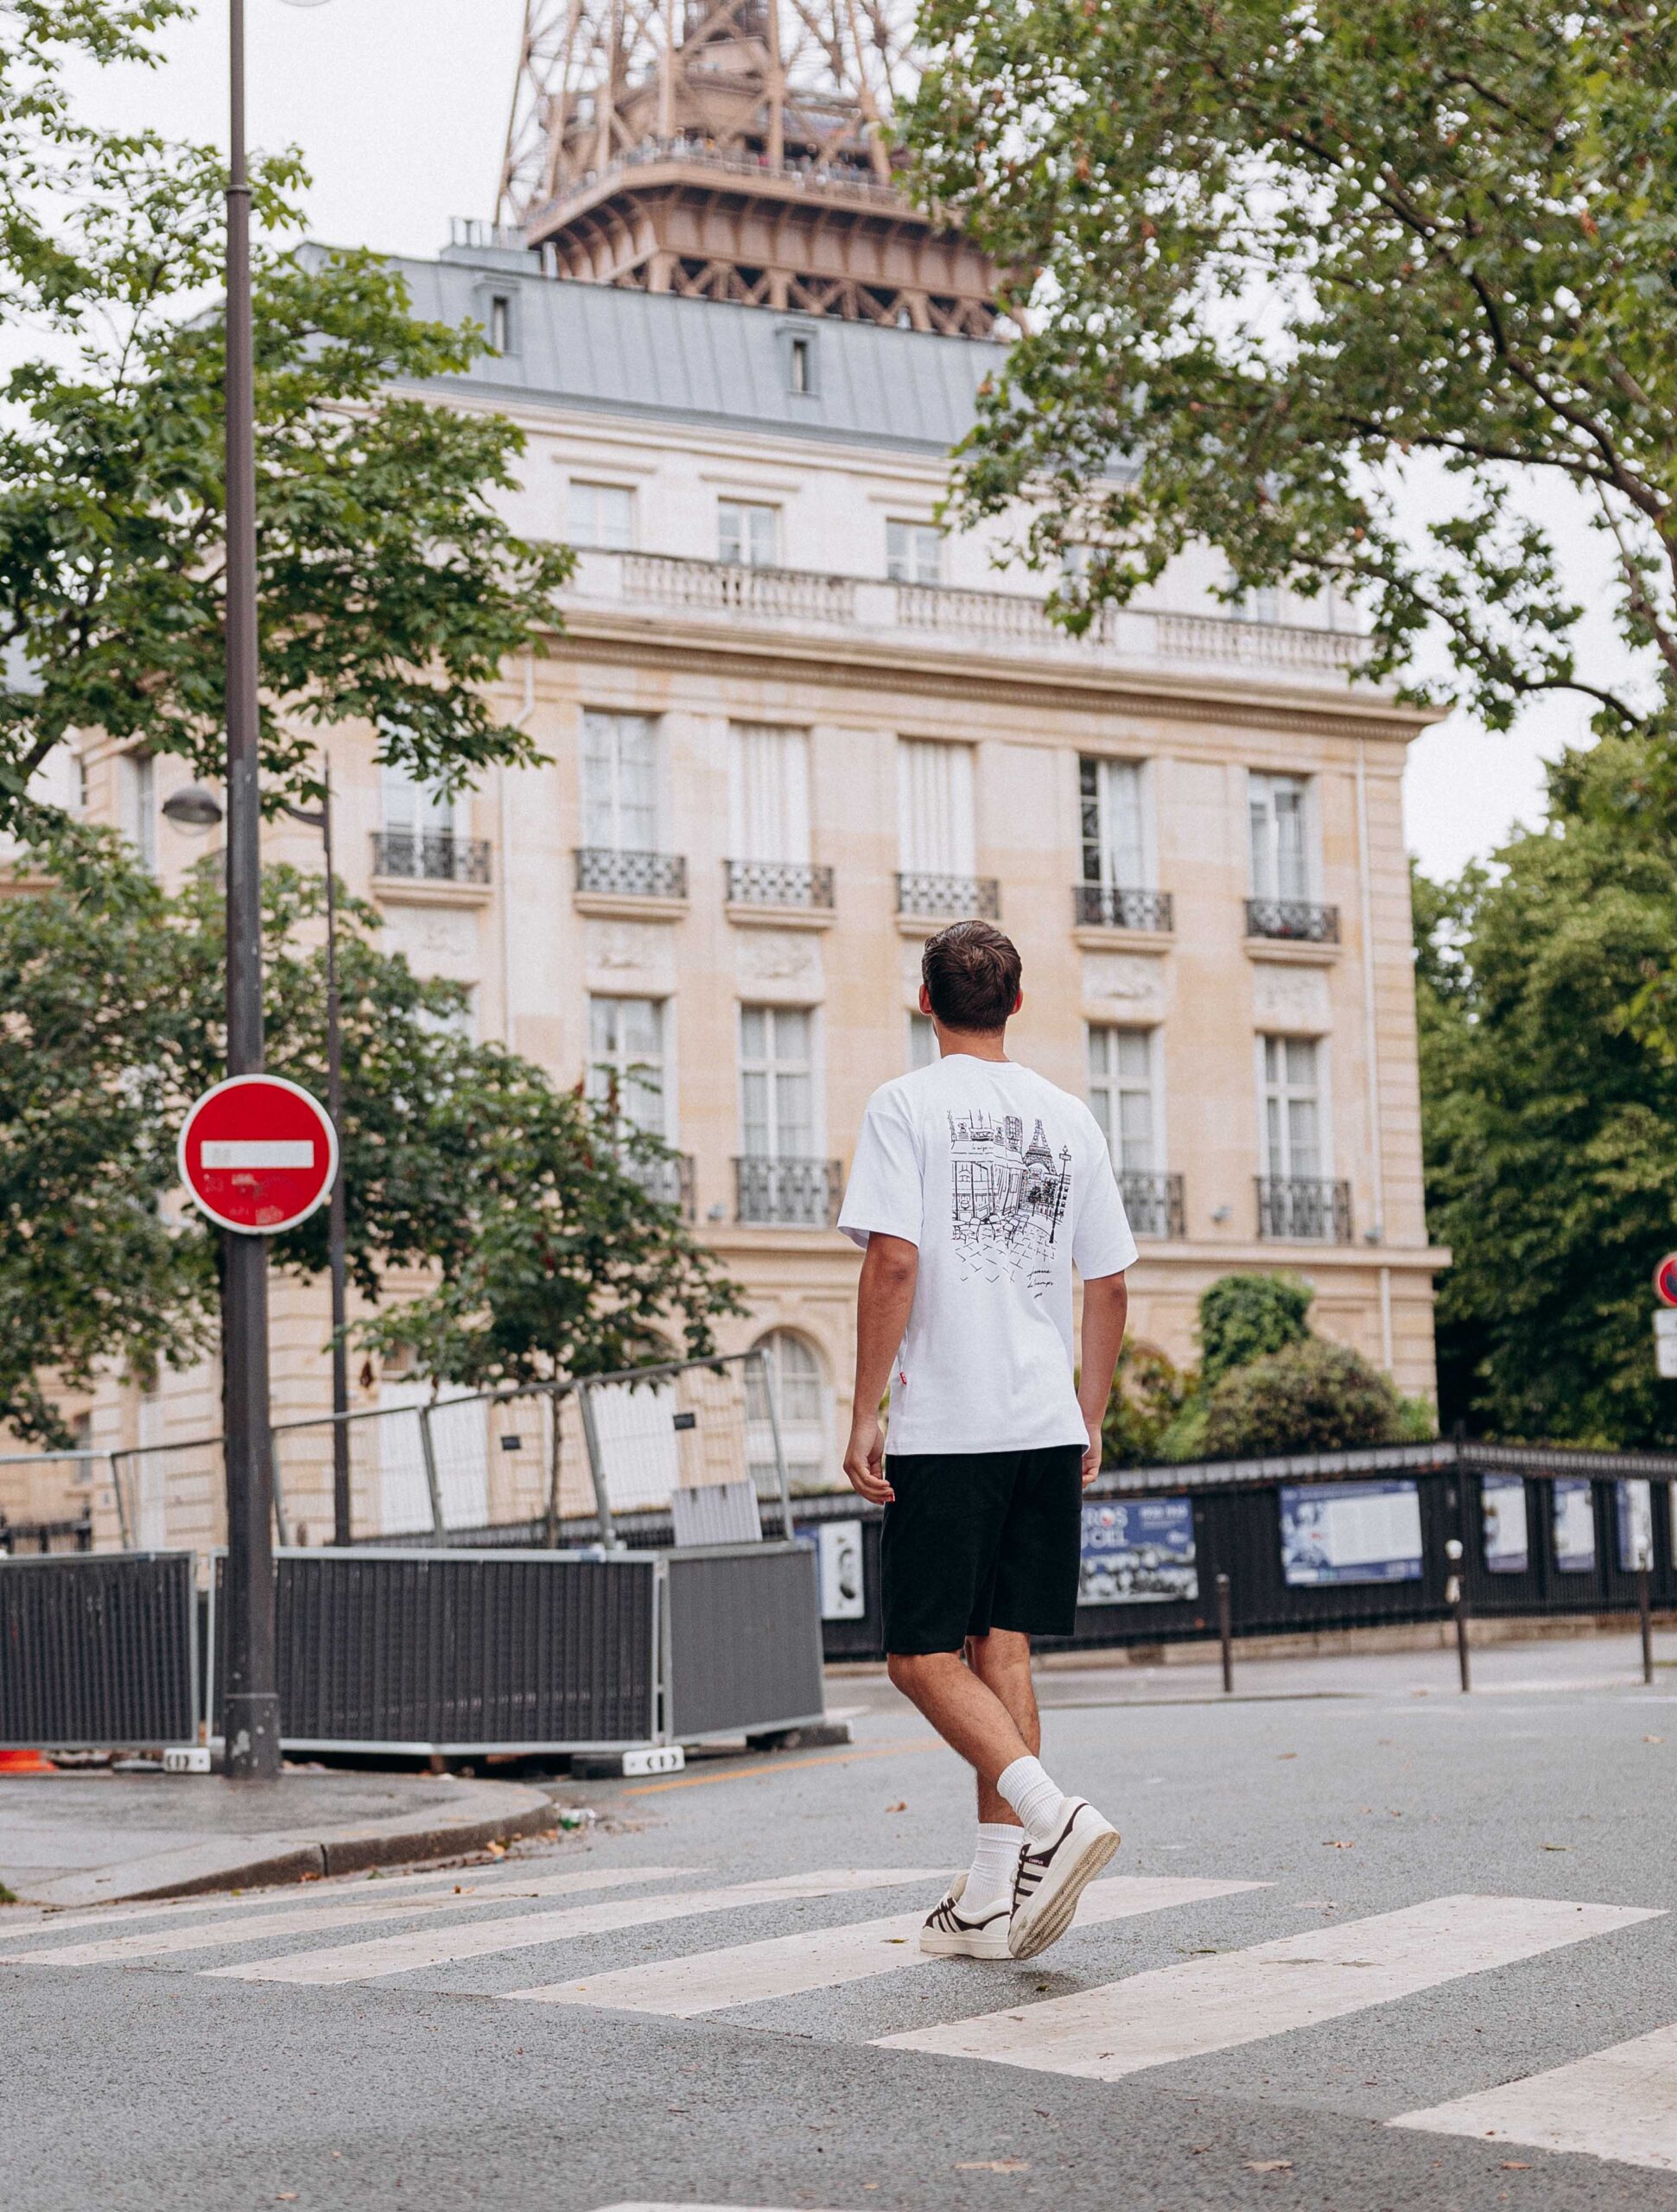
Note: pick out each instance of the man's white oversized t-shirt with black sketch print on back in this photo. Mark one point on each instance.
(1006, 1185)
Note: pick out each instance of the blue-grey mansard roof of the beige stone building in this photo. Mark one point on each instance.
(702, 362)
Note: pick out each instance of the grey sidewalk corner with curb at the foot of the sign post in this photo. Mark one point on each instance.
(92, 1839)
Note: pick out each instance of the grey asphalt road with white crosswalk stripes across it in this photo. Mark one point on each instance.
(1287, 1881)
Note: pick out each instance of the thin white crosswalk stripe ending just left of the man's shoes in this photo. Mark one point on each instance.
(483, 1939)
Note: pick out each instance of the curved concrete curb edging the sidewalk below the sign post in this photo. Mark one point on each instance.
(490, 1813)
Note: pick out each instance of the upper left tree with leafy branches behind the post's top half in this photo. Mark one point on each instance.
(390, 587)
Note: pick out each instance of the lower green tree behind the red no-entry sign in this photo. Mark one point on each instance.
(525, 1204)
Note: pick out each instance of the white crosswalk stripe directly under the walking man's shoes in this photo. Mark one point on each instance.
(829, 1959)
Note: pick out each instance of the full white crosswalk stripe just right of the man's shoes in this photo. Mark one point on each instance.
(1269, 1990)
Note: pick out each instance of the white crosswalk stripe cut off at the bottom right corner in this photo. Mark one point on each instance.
(1614, 2105)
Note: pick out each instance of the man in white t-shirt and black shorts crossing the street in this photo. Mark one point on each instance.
(975, 1193)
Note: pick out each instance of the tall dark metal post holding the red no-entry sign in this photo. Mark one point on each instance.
(251, 1713)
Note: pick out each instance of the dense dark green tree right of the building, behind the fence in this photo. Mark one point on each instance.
(1550, 1098)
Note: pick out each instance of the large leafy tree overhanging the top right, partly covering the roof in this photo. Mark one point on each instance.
(1273, 255)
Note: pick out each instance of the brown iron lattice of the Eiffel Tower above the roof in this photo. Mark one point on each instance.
(731, 149)
